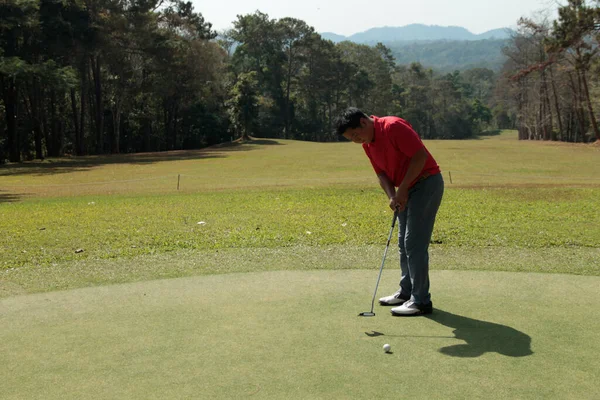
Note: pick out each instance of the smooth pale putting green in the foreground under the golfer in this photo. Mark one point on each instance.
(297, 335)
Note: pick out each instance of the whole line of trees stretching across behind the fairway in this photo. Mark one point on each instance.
(84, 77)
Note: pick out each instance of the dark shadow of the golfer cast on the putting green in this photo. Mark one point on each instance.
(481, 337)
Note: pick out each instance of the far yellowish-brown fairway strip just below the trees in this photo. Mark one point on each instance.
(283, 164)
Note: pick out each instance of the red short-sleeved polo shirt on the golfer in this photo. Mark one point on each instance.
(394, 144)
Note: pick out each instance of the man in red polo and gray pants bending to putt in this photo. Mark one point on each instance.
(401, 161)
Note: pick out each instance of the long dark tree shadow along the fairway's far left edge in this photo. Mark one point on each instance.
(76, 164)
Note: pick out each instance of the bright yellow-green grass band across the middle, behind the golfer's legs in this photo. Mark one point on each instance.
(49, 231)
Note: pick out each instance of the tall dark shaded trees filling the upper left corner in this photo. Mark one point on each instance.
(108, 77)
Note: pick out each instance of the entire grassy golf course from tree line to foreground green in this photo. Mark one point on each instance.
(239, 271)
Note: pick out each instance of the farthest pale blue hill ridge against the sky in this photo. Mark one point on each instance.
(416, 32)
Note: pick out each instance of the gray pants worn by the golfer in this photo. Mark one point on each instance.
(414, 233)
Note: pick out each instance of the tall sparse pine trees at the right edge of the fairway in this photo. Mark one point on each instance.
(551, 80)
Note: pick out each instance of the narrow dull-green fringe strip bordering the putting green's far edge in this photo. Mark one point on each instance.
(185, 263)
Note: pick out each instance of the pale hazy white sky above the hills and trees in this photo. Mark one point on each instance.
(346, 17)
